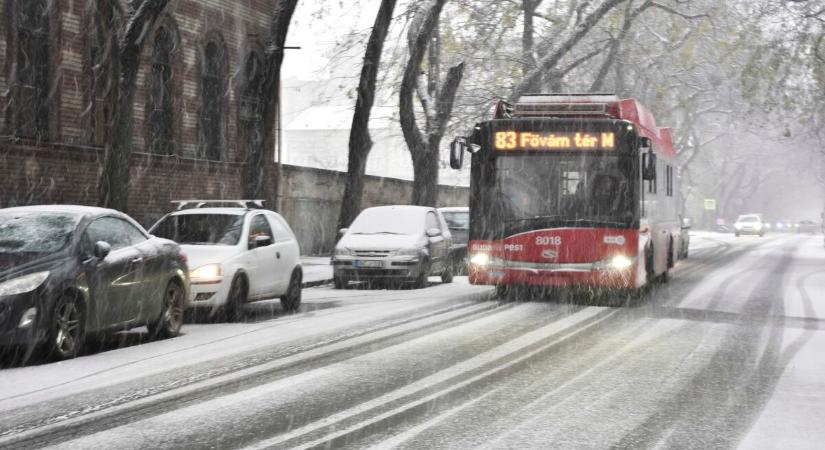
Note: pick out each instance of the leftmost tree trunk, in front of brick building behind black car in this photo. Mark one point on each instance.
(113, 190)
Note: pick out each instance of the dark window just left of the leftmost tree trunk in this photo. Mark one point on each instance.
(97, 113)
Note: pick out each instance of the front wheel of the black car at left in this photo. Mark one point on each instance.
(66, 331)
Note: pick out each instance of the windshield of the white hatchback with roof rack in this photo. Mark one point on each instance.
(200, 229)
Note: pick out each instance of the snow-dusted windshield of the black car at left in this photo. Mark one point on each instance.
(35, 232)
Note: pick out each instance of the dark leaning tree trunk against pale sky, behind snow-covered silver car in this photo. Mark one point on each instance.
(360, 142)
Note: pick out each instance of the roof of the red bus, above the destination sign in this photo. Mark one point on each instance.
(590, 105)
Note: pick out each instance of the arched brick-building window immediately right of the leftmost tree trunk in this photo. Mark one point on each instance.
(160, 122)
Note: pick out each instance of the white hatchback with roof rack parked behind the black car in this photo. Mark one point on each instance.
(238, 253)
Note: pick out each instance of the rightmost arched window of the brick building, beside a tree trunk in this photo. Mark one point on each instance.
(251, 108)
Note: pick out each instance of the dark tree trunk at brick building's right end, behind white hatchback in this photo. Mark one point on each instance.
(259, 158)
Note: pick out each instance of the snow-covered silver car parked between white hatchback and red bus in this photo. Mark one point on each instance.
(394, 243)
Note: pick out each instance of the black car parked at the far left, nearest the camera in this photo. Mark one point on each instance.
(68, 271)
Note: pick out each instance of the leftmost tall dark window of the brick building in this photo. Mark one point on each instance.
(31, 74)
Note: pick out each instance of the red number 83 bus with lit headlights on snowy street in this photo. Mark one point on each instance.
(571, 190)
